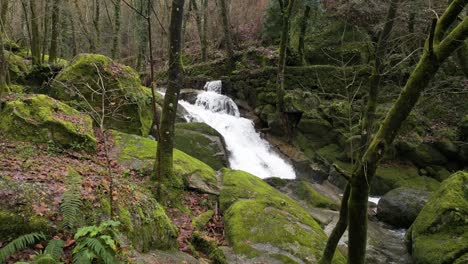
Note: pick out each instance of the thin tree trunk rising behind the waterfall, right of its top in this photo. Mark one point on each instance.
(282, 57)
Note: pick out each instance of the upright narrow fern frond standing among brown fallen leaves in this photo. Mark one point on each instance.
(70, 206)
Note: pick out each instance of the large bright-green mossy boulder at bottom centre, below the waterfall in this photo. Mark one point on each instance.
(259, 220)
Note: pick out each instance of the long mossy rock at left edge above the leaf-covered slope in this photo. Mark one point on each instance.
(41, 119)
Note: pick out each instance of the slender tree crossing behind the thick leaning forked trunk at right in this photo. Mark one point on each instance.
(367, 129)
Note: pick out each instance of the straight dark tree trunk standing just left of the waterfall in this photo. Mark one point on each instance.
(166, 141)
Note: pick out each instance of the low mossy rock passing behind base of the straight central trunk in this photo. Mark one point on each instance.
(139, 153)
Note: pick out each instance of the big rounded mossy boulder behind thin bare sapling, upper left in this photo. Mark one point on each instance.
(129, 102)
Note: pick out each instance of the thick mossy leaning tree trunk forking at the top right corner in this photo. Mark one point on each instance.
(438, 47)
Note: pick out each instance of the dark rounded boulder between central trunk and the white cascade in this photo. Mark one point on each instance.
(202, 142)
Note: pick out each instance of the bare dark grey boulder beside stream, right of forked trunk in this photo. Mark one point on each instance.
(401, 206)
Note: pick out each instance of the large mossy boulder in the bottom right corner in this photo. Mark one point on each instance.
(440, 232)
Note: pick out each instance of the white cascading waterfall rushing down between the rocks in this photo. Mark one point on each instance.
(248, 151)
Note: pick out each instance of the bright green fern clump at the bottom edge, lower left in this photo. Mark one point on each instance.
(96, 243)
